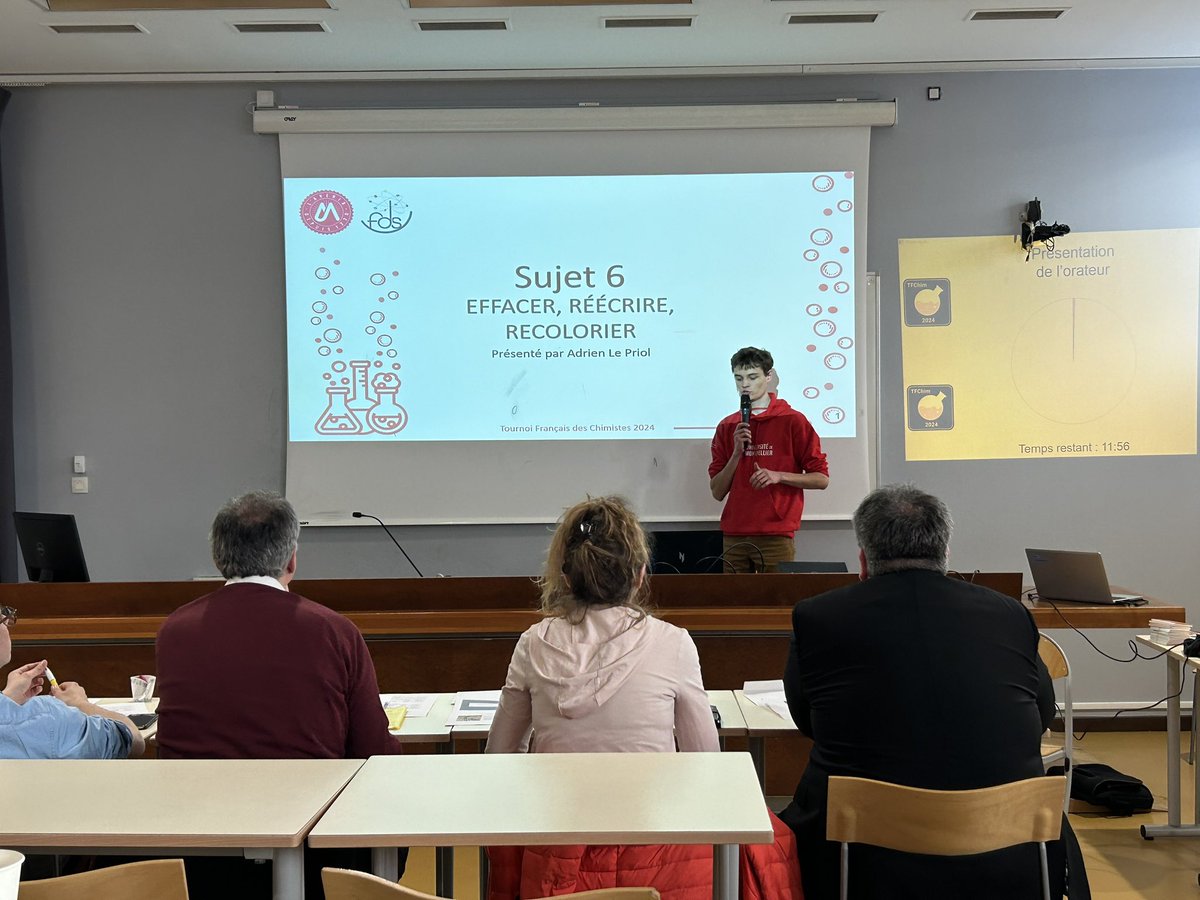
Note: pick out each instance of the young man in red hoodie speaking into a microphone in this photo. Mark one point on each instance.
(765, 457)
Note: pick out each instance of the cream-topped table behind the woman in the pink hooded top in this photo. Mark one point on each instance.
(551, 800)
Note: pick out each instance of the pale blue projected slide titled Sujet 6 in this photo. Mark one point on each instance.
(563, 308)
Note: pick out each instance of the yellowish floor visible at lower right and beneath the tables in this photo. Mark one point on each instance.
(1120, 862)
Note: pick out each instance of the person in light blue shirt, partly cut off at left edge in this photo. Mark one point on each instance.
(64, 725)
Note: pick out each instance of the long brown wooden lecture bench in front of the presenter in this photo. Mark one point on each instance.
(441, 635)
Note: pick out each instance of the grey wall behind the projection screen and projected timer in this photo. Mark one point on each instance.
(146, 257)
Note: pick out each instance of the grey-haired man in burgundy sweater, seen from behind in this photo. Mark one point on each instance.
(254, 671)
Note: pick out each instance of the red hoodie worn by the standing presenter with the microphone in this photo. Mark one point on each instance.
(783, 441)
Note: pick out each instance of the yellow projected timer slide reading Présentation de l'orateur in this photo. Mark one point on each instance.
(1087, 350)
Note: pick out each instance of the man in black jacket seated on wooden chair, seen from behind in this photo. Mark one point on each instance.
(921, 680)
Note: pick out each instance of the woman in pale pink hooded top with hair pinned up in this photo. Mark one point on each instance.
(599, 673)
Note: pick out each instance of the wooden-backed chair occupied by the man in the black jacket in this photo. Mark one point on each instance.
(944, 823)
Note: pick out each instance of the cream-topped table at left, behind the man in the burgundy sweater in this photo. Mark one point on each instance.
(257, 808)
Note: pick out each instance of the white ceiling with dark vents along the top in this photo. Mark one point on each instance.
(380, 39)
